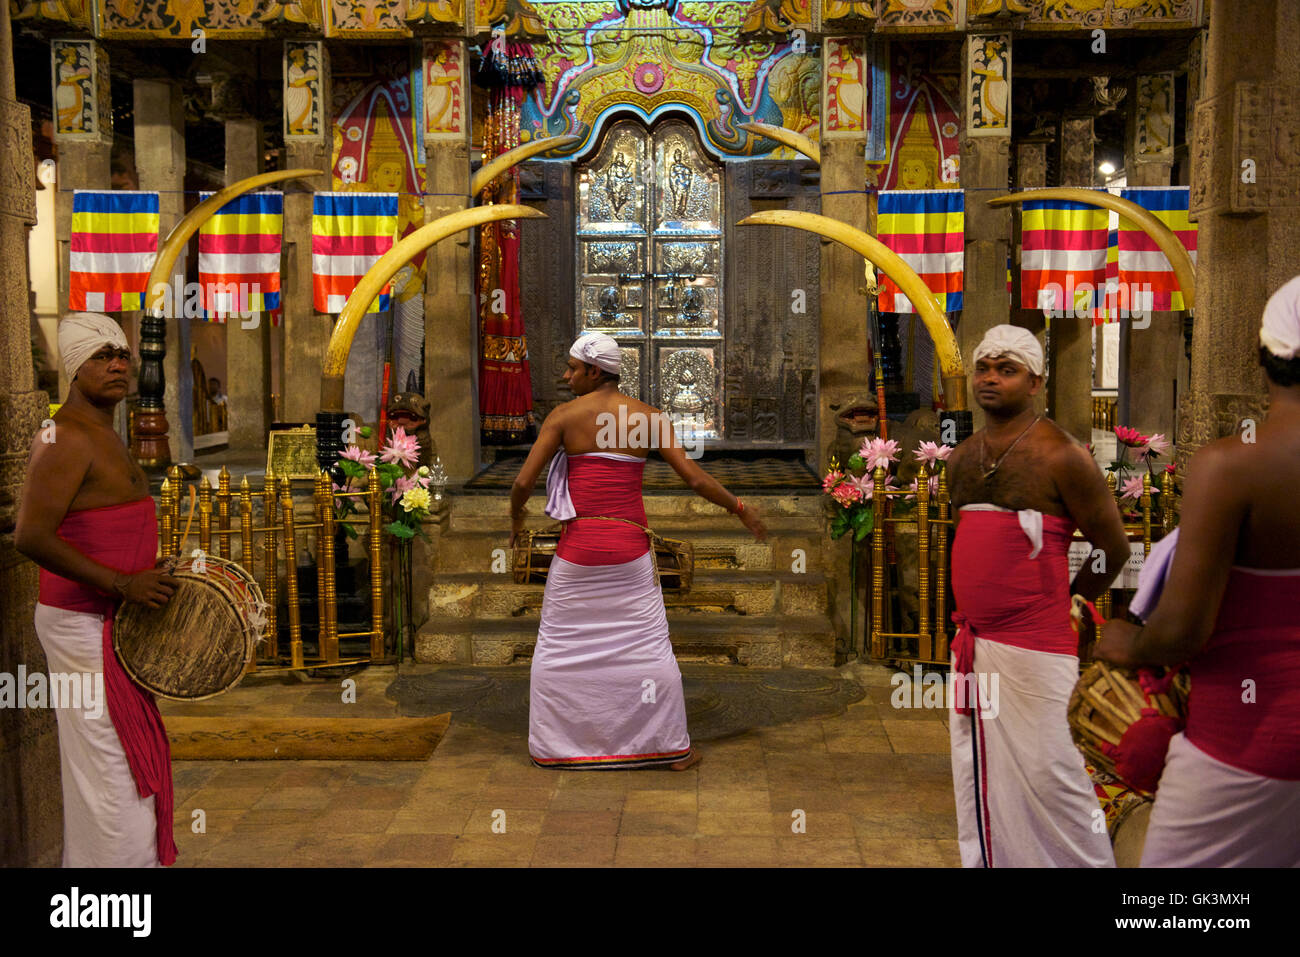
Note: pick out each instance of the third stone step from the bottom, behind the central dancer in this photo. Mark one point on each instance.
(460, 551)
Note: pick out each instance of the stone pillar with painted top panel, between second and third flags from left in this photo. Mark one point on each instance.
(306, 331)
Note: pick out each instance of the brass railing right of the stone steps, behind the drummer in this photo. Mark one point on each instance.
(934, 522)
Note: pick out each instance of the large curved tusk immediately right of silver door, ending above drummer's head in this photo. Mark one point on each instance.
(879, 256)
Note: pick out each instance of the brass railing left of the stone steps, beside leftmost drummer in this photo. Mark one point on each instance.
(279, 534)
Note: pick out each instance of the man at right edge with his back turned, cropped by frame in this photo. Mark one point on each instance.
(1230, 608)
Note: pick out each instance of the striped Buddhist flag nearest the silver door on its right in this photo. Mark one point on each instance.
(928, 229)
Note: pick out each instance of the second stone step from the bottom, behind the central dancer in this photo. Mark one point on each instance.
(717, 592)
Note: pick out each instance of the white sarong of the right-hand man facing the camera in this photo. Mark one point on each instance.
(1024, 798)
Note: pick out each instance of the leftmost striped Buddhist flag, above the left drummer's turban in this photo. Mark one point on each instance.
(115, 240)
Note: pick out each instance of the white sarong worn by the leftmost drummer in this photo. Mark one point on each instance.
(106, 821)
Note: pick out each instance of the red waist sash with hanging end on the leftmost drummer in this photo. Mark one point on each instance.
(123, 538)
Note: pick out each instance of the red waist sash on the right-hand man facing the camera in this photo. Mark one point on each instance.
(1006, 596)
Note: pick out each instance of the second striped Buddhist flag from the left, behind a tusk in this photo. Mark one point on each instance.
(240, 257)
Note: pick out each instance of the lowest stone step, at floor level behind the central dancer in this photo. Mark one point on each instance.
(762, 642)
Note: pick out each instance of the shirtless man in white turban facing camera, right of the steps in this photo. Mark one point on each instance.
(1021, 486)
